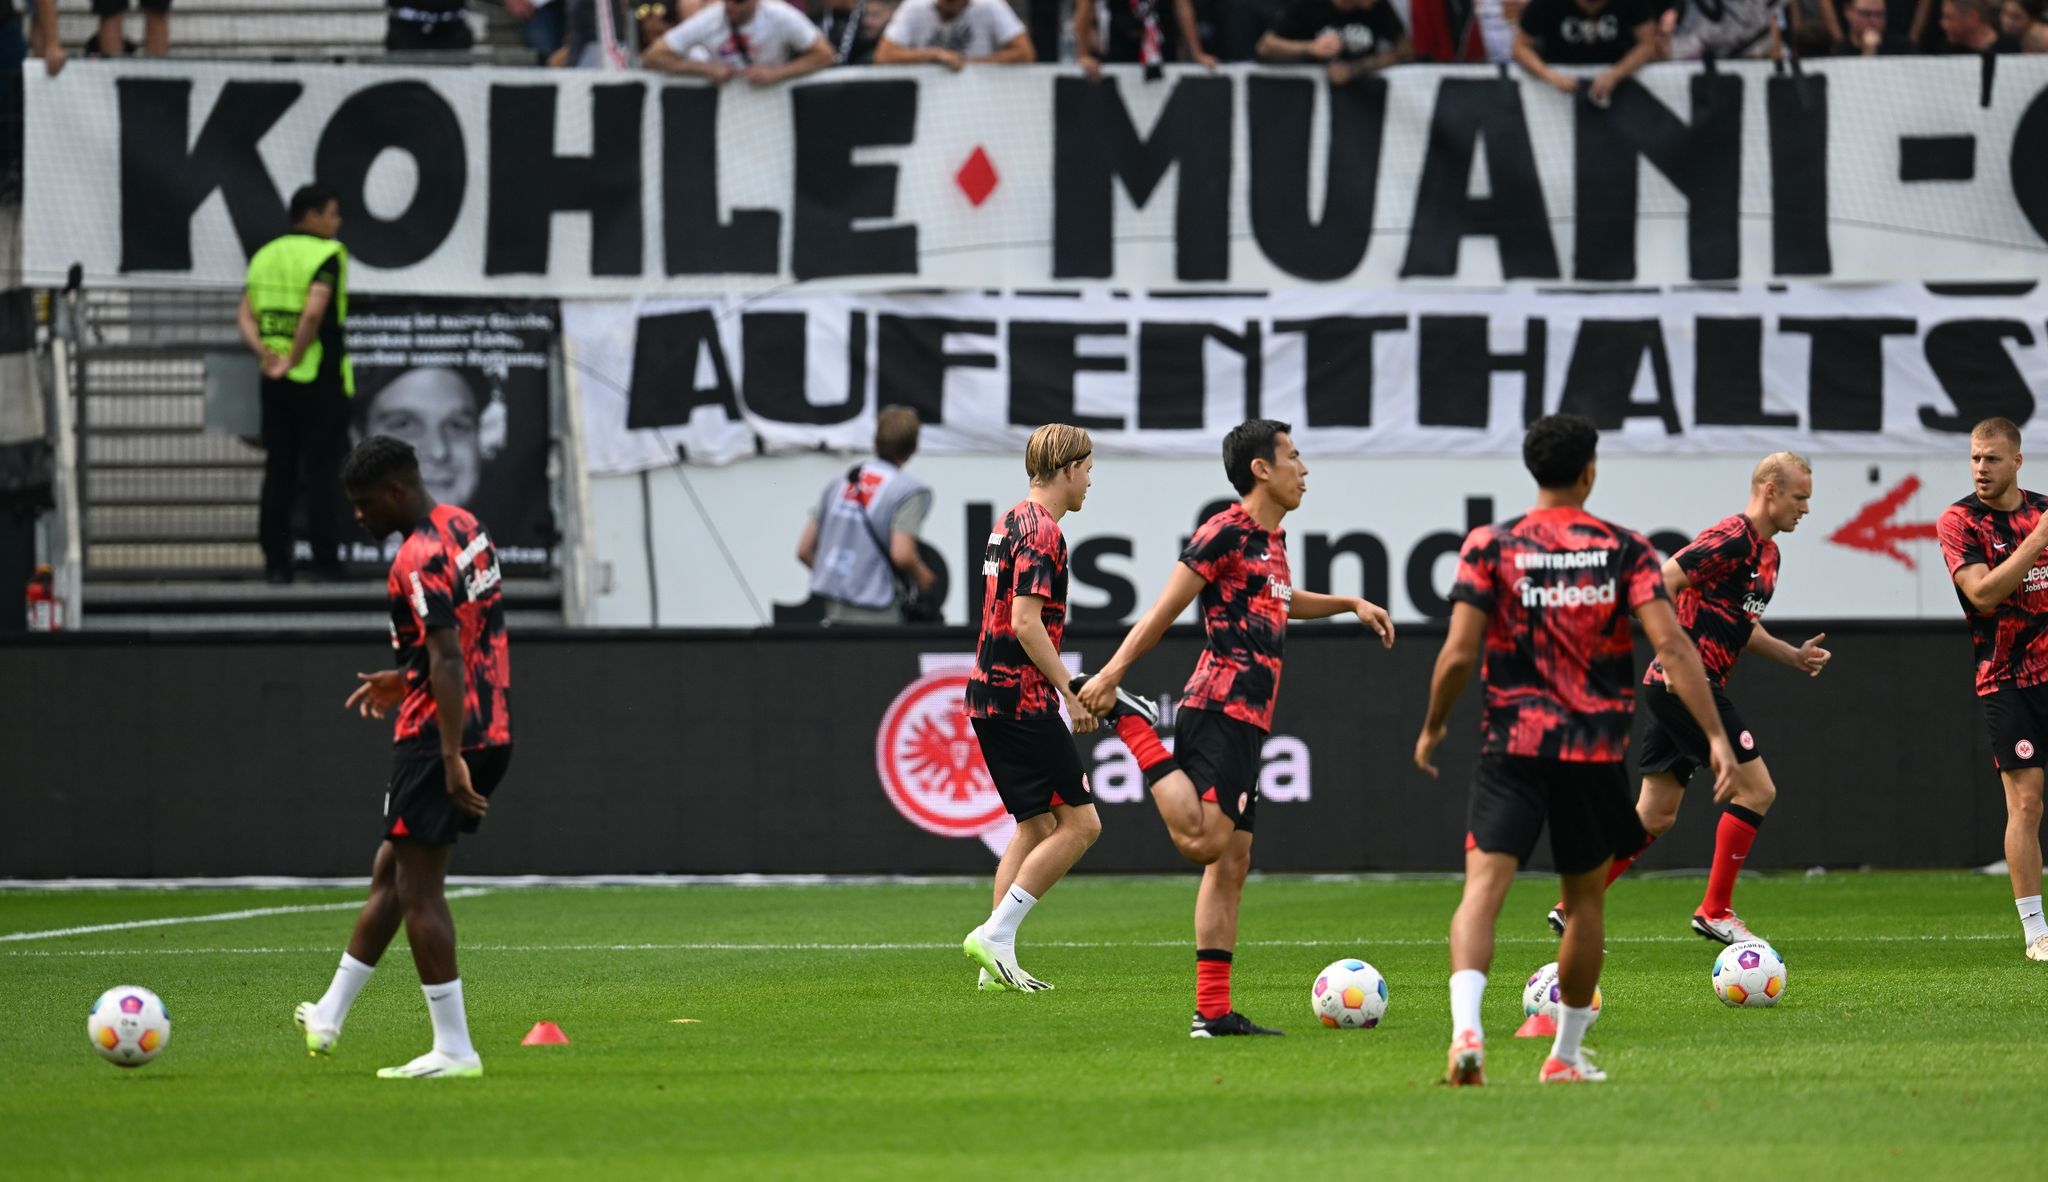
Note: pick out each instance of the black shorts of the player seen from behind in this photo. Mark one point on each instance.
(1590, 810)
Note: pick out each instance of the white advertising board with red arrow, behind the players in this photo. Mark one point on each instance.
(716, 546)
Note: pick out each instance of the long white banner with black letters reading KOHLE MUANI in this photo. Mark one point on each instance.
(605, 185)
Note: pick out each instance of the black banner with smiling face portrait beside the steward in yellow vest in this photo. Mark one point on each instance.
(468, 386)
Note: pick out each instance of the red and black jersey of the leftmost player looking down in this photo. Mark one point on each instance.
(445, 577)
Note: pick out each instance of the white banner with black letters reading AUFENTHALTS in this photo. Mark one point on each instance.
(1367, 372)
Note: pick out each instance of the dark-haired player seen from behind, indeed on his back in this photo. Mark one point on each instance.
(1545, 601)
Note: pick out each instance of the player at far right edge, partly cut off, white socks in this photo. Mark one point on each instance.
(1994, 544)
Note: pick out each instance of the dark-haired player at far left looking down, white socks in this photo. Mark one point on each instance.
(452, 745)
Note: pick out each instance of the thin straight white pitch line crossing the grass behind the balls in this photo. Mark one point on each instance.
(939, 947)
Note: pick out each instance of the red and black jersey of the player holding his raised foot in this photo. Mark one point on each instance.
(1244, 611)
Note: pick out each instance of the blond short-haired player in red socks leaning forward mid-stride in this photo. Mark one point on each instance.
(1721, 583)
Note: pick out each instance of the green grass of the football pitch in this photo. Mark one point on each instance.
(869, 1054)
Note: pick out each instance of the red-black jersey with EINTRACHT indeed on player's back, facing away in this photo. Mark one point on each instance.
(1558, 587)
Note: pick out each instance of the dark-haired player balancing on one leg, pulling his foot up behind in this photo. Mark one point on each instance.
(1209, 788)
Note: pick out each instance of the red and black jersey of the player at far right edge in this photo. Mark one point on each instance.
(2012, 640)
